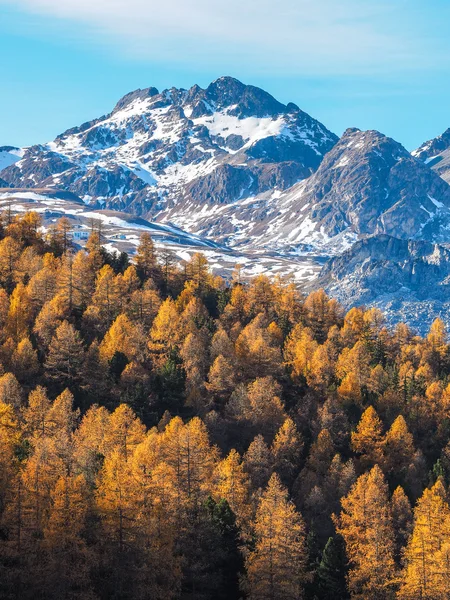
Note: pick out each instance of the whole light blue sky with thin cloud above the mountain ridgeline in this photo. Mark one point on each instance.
(372, 64)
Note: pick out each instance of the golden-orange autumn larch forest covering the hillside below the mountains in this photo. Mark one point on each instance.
(166, 434)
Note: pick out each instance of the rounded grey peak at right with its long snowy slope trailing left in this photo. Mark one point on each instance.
(366, 184)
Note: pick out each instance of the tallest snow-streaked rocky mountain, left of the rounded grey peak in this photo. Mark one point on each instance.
(173, 153)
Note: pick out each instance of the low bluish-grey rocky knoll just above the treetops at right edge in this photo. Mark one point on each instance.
(408, 280)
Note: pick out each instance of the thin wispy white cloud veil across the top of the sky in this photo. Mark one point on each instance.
(296, 36)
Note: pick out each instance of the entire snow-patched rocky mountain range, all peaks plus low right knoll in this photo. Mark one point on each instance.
(232, 164)
